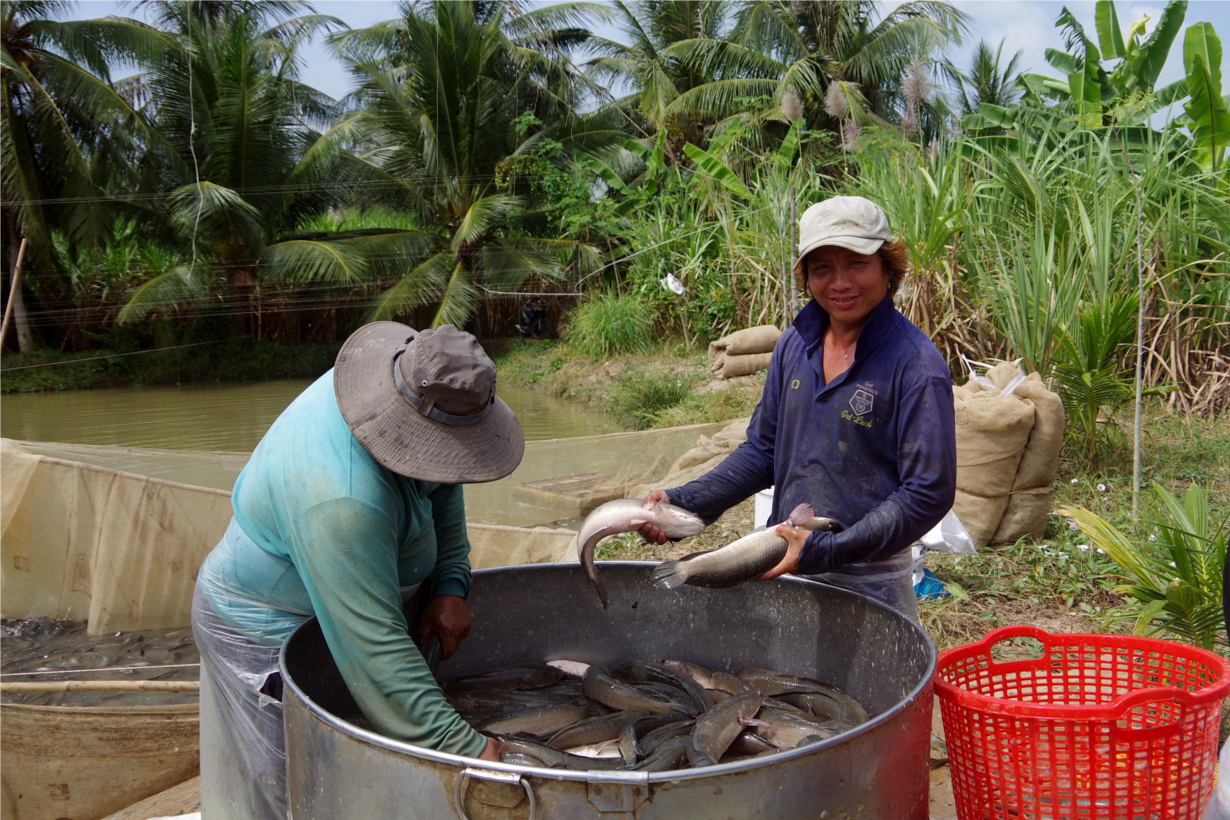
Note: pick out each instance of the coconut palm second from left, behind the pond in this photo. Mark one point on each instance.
(233, 142)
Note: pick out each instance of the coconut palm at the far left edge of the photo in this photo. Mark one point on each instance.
(61, 121)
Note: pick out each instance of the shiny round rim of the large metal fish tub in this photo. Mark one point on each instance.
(621, 778)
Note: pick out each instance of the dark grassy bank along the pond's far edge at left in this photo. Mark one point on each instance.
(227, 361)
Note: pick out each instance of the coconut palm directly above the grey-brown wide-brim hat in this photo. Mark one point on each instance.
(448, 93)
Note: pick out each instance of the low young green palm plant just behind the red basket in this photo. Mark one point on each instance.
(1173, 575)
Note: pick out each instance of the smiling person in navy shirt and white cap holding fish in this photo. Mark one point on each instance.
(857, 417)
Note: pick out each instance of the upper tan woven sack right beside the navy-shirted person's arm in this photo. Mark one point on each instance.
(992, 433)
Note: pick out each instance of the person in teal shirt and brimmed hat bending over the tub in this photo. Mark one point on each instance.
(350, 502)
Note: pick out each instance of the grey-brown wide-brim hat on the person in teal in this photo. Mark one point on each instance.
(424, 404)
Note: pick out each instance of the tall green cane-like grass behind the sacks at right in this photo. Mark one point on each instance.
(1022, 246)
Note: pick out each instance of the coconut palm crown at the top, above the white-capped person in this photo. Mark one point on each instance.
(836, 56)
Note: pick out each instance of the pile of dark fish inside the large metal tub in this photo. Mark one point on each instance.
(648, 716)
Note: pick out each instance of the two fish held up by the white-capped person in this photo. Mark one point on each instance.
(737, 562)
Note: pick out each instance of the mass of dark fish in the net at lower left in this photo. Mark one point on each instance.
(52, 650)
